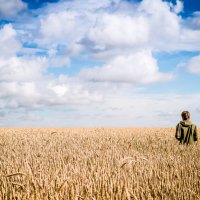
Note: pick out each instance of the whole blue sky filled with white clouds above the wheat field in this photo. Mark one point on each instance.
(108, 63)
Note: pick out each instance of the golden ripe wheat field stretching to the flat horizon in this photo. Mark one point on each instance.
(97, 164)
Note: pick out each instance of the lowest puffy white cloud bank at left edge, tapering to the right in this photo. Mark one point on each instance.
(44, 93)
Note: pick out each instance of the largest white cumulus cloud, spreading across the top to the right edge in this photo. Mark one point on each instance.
(112, 25)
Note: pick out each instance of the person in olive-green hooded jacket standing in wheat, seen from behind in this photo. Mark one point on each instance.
(186, 131)
